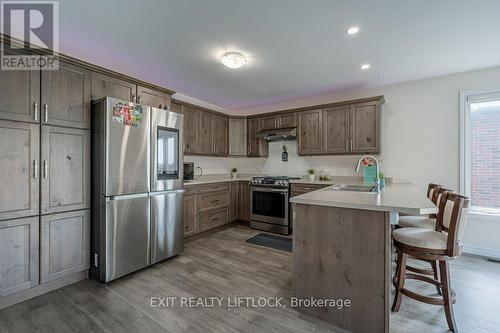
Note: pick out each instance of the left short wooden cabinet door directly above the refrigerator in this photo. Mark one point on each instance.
(103, 86)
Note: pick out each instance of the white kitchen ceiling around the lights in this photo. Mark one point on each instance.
(297, 48)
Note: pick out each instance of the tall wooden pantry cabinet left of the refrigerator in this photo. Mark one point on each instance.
(45, 176)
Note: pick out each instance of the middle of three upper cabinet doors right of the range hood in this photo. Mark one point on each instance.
(335, 130)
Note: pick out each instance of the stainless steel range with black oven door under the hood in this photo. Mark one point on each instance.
(269, 204)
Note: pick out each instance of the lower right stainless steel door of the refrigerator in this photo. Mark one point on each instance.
(167, 237)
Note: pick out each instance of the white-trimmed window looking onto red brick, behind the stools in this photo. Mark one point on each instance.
(480, 149)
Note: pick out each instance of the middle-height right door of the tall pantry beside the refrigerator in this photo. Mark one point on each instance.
(65, 169)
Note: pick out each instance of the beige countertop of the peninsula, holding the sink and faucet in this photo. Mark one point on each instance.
(399, 197)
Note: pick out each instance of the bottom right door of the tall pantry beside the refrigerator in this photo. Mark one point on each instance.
(64, 244)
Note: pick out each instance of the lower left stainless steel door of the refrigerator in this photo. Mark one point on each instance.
(127, 235)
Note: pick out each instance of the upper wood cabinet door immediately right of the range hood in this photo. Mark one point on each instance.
(310, 132)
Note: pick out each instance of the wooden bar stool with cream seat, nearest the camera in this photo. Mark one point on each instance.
(441, 246)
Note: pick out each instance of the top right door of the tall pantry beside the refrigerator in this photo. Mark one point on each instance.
(66, 96)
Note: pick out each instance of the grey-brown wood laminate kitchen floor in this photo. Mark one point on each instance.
(223, 265)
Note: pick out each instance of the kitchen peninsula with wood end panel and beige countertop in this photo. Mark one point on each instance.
(342, 251)
